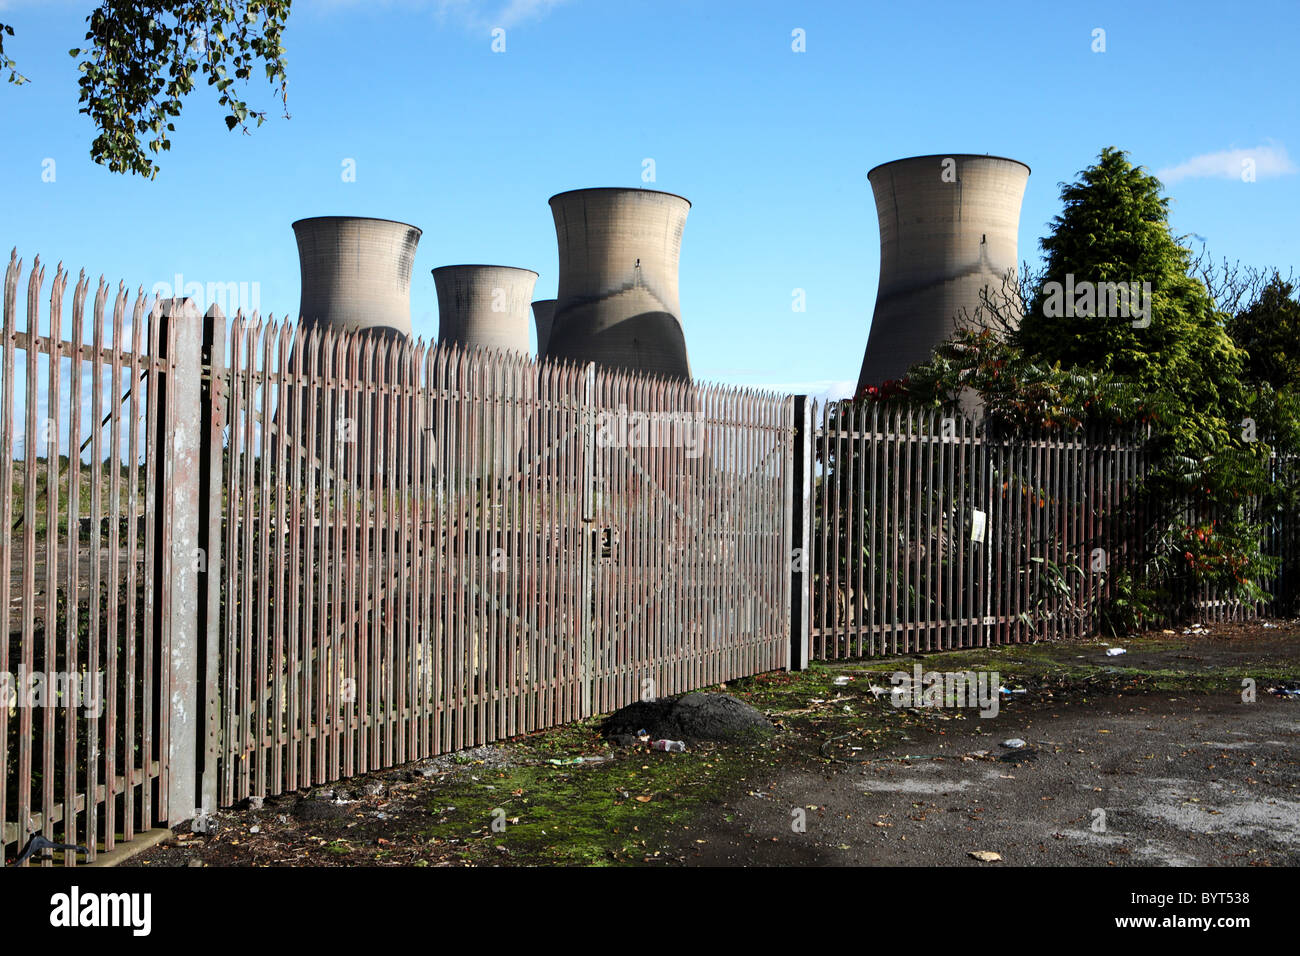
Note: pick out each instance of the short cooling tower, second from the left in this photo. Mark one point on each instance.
(484, 306)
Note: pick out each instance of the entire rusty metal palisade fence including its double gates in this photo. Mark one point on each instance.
(241, 559)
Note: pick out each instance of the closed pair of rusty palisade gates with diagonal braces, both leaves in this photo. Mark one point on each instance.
(427, 551)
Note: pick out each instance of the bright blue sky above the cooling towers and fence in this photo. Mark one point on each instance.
(772, 146)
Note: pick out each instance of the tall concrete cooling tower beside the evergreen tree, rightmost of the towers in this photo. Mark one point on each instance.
(948, 230)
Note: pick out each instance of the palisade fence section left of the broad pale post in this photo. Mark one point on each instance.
(85, 565)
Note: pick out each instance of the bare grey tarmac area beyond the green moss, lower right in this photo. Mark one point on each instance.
(1133, 781)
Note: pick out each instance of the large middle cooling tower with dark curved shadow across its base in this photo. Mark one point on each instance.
(618, 285)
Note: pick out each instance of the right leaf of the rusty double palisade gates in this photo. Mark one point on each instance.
(692, 538)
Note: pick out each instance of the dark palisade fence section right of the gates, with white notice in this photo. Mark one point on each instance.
(931, 534)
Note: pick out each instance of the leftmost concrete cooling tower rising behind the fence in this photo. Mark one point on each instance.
(357, 272)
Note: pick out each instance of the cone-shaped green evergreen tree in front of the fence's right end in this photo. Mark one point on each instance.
(1117, 297)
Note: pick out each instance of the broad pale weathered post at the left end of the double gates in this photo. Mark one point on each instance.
(177, 612)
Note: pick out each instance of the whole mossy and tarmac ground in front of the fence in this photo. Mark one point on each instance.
(1146, 759)
